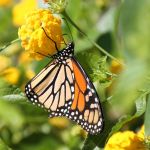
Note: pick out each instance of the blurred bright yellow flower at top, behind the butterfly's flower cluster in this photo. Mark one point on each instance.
(20, 10)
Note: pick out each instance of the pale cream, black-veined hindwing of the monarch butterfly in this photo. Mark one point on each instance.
(53, 88)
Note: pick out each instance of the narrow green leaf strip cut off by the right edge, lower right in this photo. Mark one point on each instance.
(147, 117)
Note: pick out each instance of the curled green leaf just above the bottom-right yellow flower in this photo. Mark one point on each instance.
(140, 109)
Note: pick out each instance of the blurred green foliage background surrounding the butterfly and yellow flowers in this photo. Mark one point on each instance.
(122, 29)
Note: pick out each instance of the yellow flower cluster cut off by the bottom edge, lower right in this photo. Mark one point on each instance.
(126, 140)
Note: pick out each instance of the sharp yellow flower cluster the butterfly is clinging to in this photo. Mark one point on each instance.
(34, 39)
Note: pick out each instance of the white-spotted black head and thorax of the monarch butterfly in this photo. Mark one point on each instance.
(65, 53)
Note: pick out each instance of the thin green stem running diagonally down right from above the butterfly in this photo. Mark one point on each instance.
(91, 41)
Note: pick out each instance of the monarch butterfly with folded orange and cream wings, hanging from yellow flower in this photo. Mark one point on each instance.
(64, 89)
